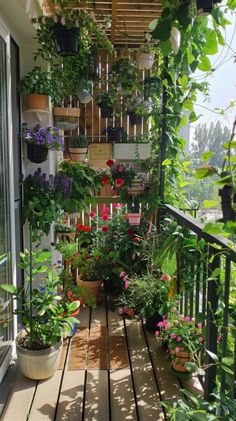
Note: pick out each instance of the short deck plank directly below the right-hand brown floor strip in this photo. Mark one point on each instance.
(122, 398)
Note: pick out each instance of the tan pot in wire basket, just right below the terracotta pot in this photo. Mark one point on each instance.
(66, 118)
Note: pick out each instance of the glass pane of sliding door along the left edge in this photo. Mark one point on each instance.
(5, 263)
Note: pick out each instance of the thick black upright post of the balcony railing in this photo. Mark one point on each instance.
(211, 327)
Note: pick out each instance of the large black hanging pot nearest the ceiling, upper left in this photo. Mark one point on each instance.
(66, 39)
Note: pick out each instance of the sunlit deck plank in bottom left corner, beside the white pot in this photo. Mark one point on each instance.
(19, 402)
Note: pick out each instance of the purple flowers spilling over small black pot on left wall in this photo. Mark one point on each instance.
(47, 137)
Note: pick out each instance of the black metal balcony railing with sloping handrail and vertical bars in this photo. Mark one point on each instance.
(211, 296)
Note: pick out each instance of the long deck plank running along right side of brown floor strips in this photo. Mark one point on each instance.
(145, 386)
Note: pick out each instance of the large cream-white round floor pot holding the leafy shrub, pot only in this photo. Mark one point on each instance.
(38, 364)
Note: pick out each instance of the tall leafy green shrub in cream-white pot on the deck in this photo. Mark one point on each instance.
(45, 314)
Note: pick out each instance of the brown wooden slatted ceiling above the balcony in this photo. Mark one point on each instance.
(130, 18)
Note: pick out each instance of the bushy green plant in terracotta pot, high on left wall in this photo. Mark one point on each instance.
(36, 87)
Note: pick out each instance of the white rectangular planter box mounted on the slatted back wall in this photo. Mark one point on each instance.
(130, 151)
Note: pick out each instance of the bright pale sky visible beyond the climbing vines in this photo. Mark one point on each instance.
(222, 82)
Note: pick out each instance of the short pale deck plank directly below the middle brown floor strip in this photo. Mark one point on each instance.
(97, 396)
